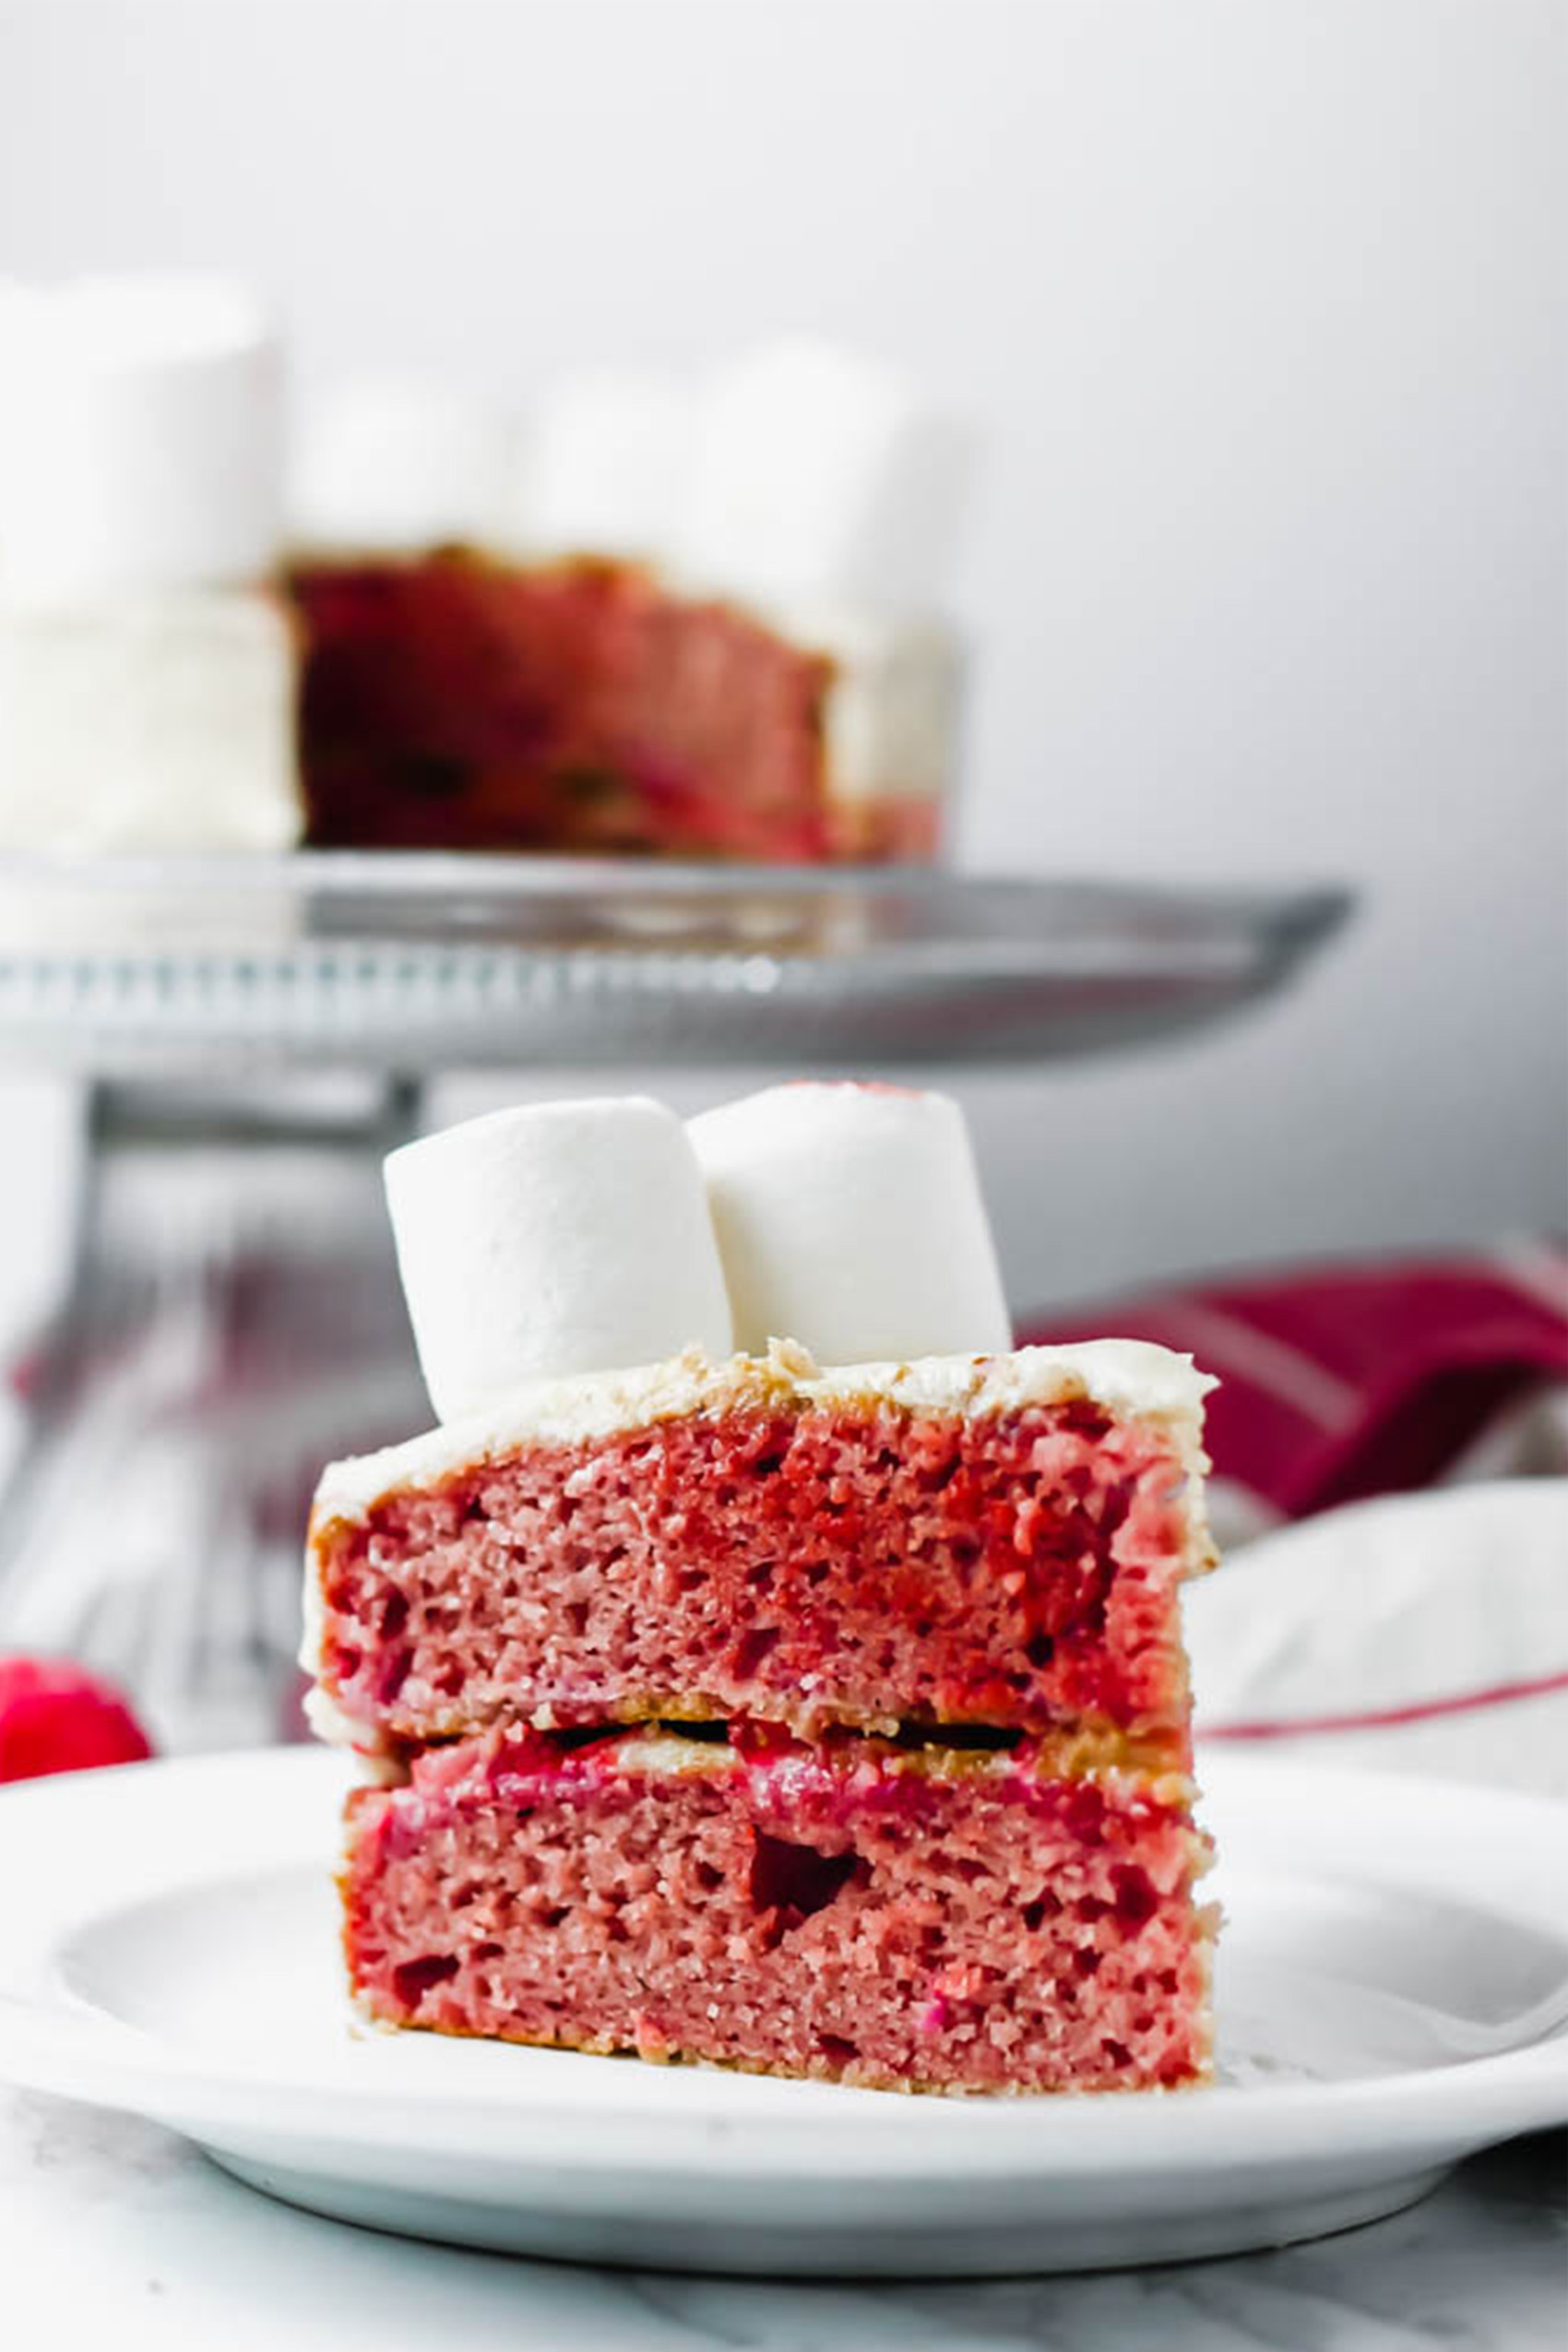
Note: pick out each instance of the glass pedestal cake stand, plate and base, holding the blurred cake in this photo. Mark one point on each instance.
(255, 1034)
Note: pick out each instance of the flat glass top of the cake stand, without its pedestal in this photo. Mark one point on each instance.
(413, 963)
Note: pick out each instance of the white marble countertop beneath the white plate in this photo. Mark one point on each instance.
(105, 2219)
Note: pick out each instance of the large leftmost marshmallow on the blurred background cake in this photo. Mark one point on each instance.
(145, 439)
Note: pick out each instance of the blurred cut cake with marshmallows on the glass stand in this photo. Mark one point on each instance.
(692, 622)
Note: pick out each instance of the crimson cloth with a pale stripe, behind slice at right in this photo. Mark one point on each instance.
(1355, 1379)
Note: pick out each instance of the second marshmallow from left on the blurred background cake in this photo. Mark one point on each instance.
(396, 465)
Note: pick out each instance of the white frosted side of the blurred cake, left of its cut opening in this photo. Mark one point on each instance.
(149, 723)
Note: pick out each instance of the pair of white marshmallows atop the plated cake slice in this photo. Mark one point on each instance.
(596, 1236)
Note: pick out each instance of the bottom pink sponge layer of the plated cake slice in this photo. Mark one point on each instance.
(904, 1918)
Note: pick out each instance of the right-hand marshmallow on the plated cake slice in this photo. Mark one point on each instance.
(852, 1222)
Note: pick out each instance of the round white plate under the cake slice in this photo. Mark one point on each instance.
(168, 1946)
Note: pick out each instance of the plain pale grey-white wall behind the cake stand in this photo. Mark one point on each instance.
(1264, 309)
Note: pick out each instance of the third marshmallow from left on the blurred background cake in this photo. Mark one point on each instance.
(603, 467)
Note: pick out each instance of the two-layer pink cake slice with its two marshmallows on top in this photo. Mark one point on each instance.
(817, 1720)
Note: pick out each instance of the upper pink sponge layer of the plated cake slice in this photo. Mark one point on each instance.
(803, 1563)
